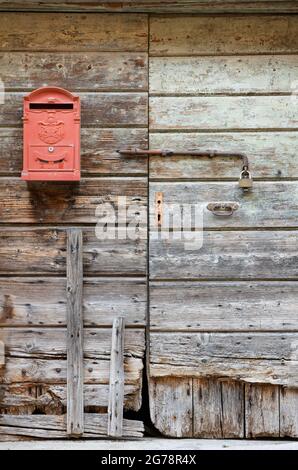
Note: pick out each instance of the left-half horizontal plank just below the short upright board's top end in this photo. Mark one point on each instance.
(46, 343)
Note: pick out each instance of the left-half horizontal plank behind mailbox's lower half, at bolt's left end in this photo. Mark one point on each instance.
(98, 151)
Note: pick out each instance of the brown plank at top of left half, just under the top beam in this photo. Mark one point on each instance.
(71, 32)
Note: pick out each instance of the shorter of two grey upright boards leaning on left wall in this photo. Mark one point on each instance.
(116, 392)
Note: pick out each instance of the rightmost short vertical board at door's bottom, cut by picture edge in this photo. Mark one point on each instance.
(288, 412)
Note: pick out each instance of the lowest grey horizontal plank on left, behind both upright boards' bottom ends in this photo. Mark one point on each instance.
(54, 427)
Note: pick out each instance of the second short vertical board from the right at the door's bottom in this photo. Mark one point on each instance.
(261, 410)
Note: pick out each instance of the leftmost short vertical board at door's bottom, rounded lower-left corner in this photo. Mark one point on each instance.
(171, 406)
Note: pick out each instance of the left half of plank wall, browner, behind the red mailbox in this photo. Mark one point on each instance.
(103, 58)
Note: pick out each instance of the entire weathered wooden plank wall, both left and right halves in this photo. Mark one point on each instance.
(223, 322)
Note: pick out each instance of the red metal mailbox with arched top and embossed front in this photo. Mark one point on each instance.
(51, 135)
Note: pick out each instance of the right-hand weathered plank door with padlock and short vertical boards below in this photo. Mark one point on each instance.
(223, 293)
